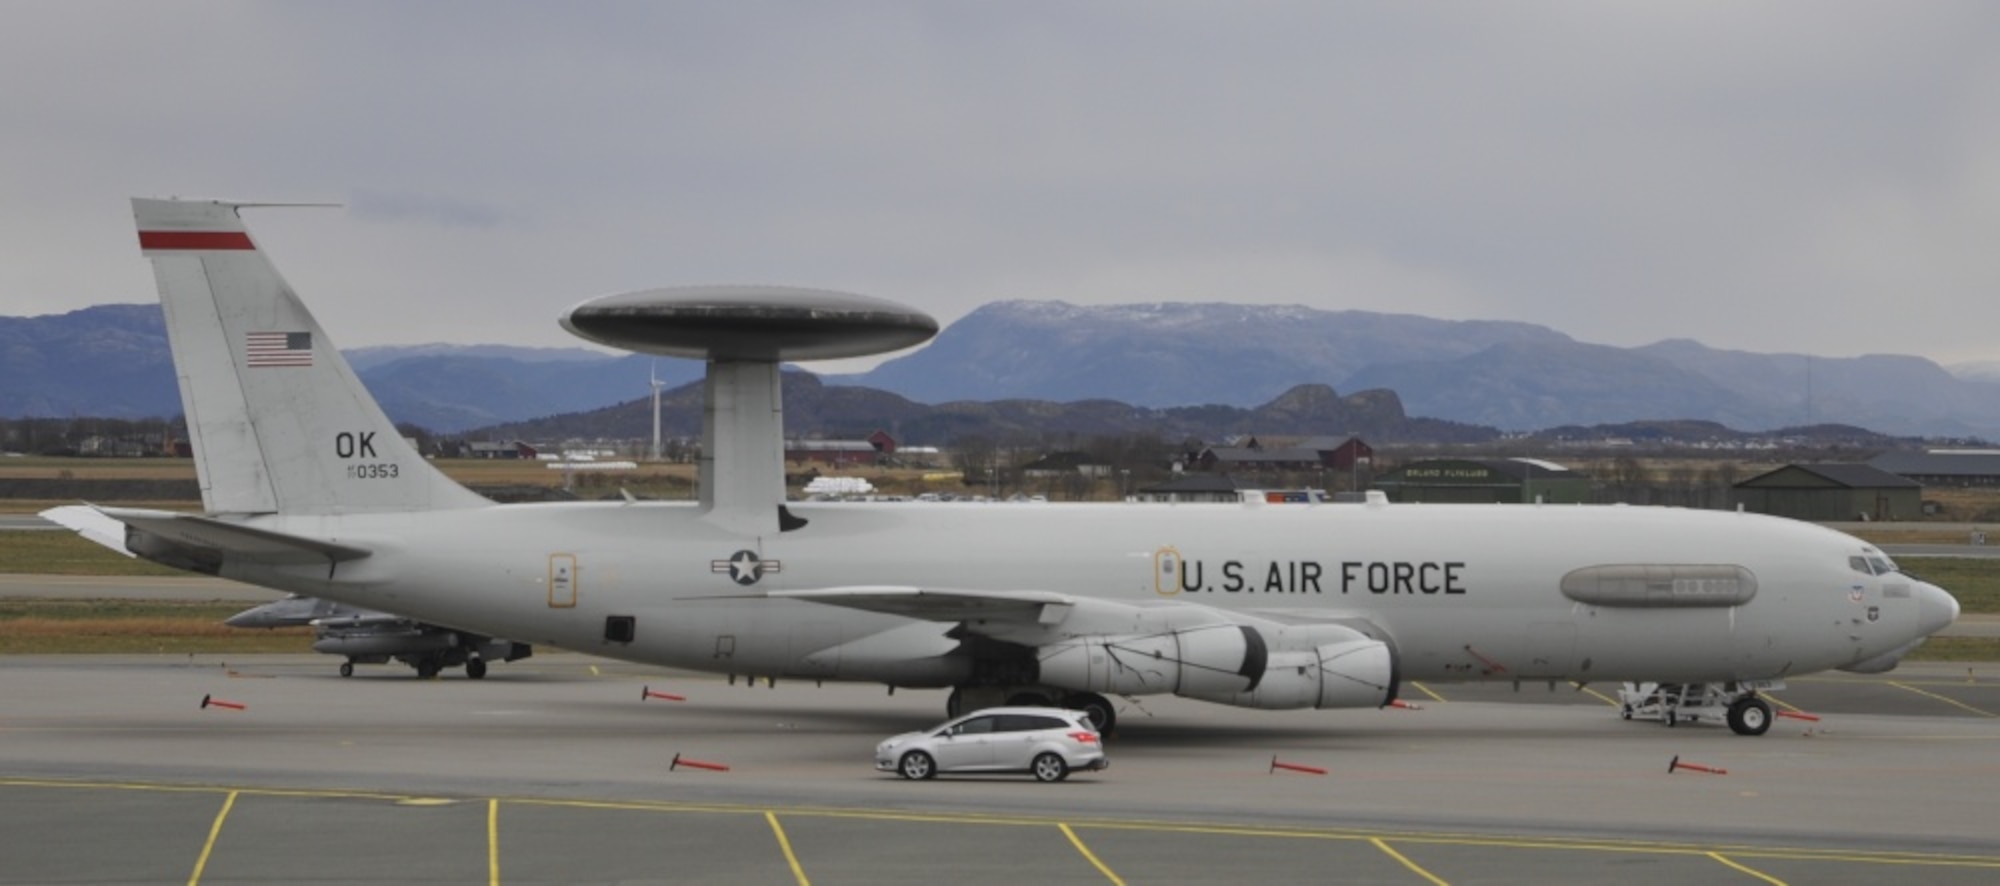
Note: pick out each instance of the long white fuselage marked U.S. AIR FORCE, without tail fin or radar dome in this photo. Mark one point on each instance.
(1461, 593)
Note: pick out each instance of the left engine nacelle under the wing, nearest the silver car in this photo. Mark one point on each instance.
(1207, 661)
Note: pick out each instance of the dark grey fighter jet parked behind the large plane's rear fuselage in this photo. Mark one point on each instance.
(369, 637)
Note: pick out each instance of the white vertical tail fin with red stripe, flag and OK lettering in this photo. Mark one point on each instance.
(279, 421)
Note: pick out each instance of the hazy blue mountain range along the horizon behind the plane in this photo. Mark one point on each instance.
(1151, 359)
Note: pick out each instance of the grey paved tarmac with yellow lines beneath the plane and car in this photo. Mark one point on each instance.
(557, 771)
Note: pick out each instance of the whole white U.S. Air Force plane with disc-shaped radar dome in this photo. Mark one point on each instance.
(311, 489)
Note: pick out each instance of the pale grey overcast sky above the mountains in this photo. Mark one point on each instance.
(1789, 177)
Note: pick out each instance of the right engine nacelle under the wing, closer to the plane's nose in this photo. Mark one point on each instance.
(1321, 667)
